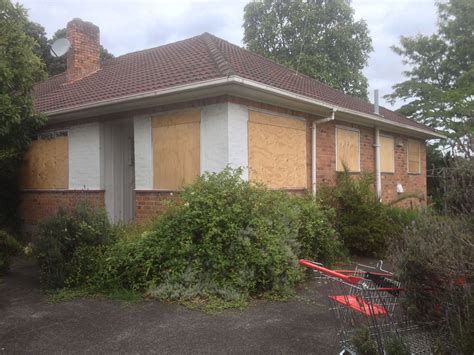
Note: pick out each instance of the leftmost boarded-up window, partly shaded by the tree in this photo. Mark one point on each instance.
(45, 164)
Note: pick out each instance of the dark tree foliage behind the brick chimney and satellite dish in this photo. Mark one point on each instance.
(54, 65)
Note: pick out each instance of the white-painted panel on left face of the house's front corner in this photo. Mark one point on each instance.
(214, 144)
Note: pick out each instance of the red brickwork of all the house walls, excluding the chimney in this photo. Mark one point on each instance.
(149, 203)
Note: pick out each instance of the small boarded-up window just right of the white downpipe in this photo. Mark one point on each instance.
(348, 149)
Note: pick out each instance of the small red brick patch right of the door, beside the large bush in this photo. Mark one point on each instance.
(152, 203)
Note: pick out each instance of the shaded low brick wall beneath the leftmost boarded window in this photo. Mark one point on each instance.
(36, 205)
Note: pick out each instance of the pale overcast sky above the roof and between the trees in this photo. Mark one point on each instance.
(130, 25)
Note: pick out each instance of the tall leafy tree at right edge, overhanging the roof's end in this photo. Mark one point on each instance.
(439, 91)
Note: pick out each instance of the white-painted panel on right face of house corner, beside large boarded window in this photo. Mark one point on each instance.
(238, 140)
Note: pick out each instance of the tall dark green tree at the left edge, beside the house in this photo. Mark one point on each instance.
(20, 69)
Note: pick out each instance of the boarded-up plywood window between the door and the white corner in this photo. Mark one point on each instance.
(175, 149)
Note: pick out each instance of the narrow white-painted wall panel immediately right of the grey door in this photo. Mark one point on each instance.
(143, 153)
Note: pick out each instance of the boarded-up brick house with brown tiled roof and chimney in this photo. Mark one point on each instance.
(129, 132)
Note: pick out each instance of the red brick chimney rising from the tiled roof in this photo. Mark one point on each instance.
(83, 58)
